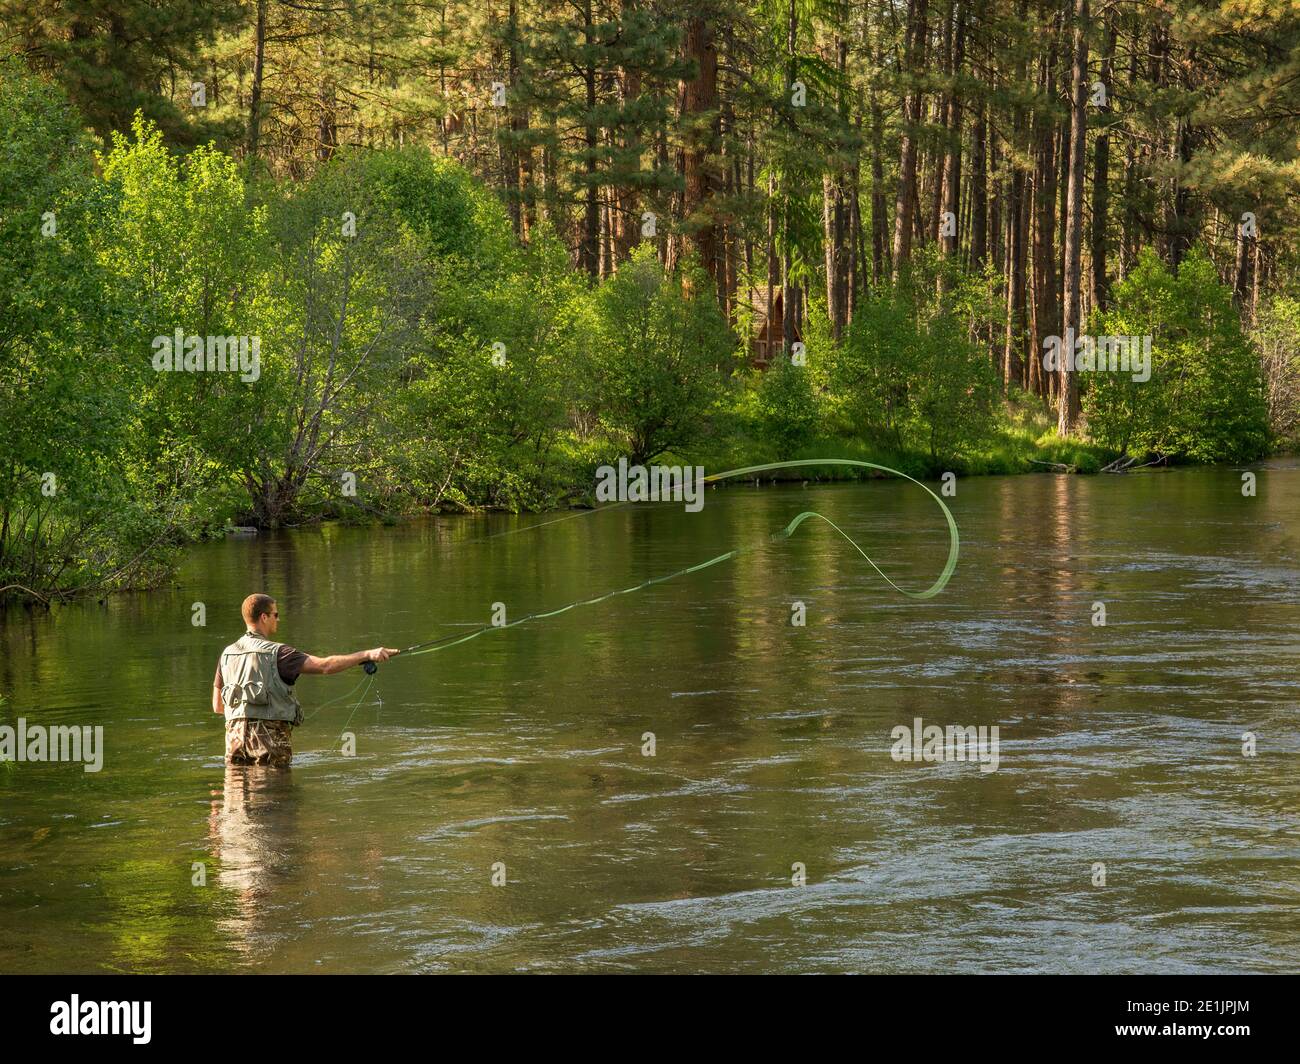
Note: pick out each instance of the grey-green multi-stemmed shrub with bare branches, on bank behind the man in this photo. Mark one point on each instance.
(349, 292)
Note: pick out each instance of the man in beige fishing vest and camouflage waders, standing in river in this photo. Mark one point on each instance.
(254, 686)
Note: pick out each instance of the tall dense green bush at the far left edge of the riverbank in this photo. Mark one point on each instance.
(72, 512)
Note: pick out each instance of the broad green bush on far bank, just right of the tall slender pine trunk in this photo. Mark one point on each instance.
(1206, 400)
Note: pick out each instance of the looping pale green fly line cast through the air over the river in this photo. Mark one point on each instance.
(941, 583)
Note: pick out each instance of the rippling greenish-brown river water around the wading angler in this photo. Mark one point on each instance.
(523, 755)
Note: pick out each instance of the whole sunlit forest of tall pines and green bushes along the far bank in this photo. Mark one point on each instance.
(274, 262)
